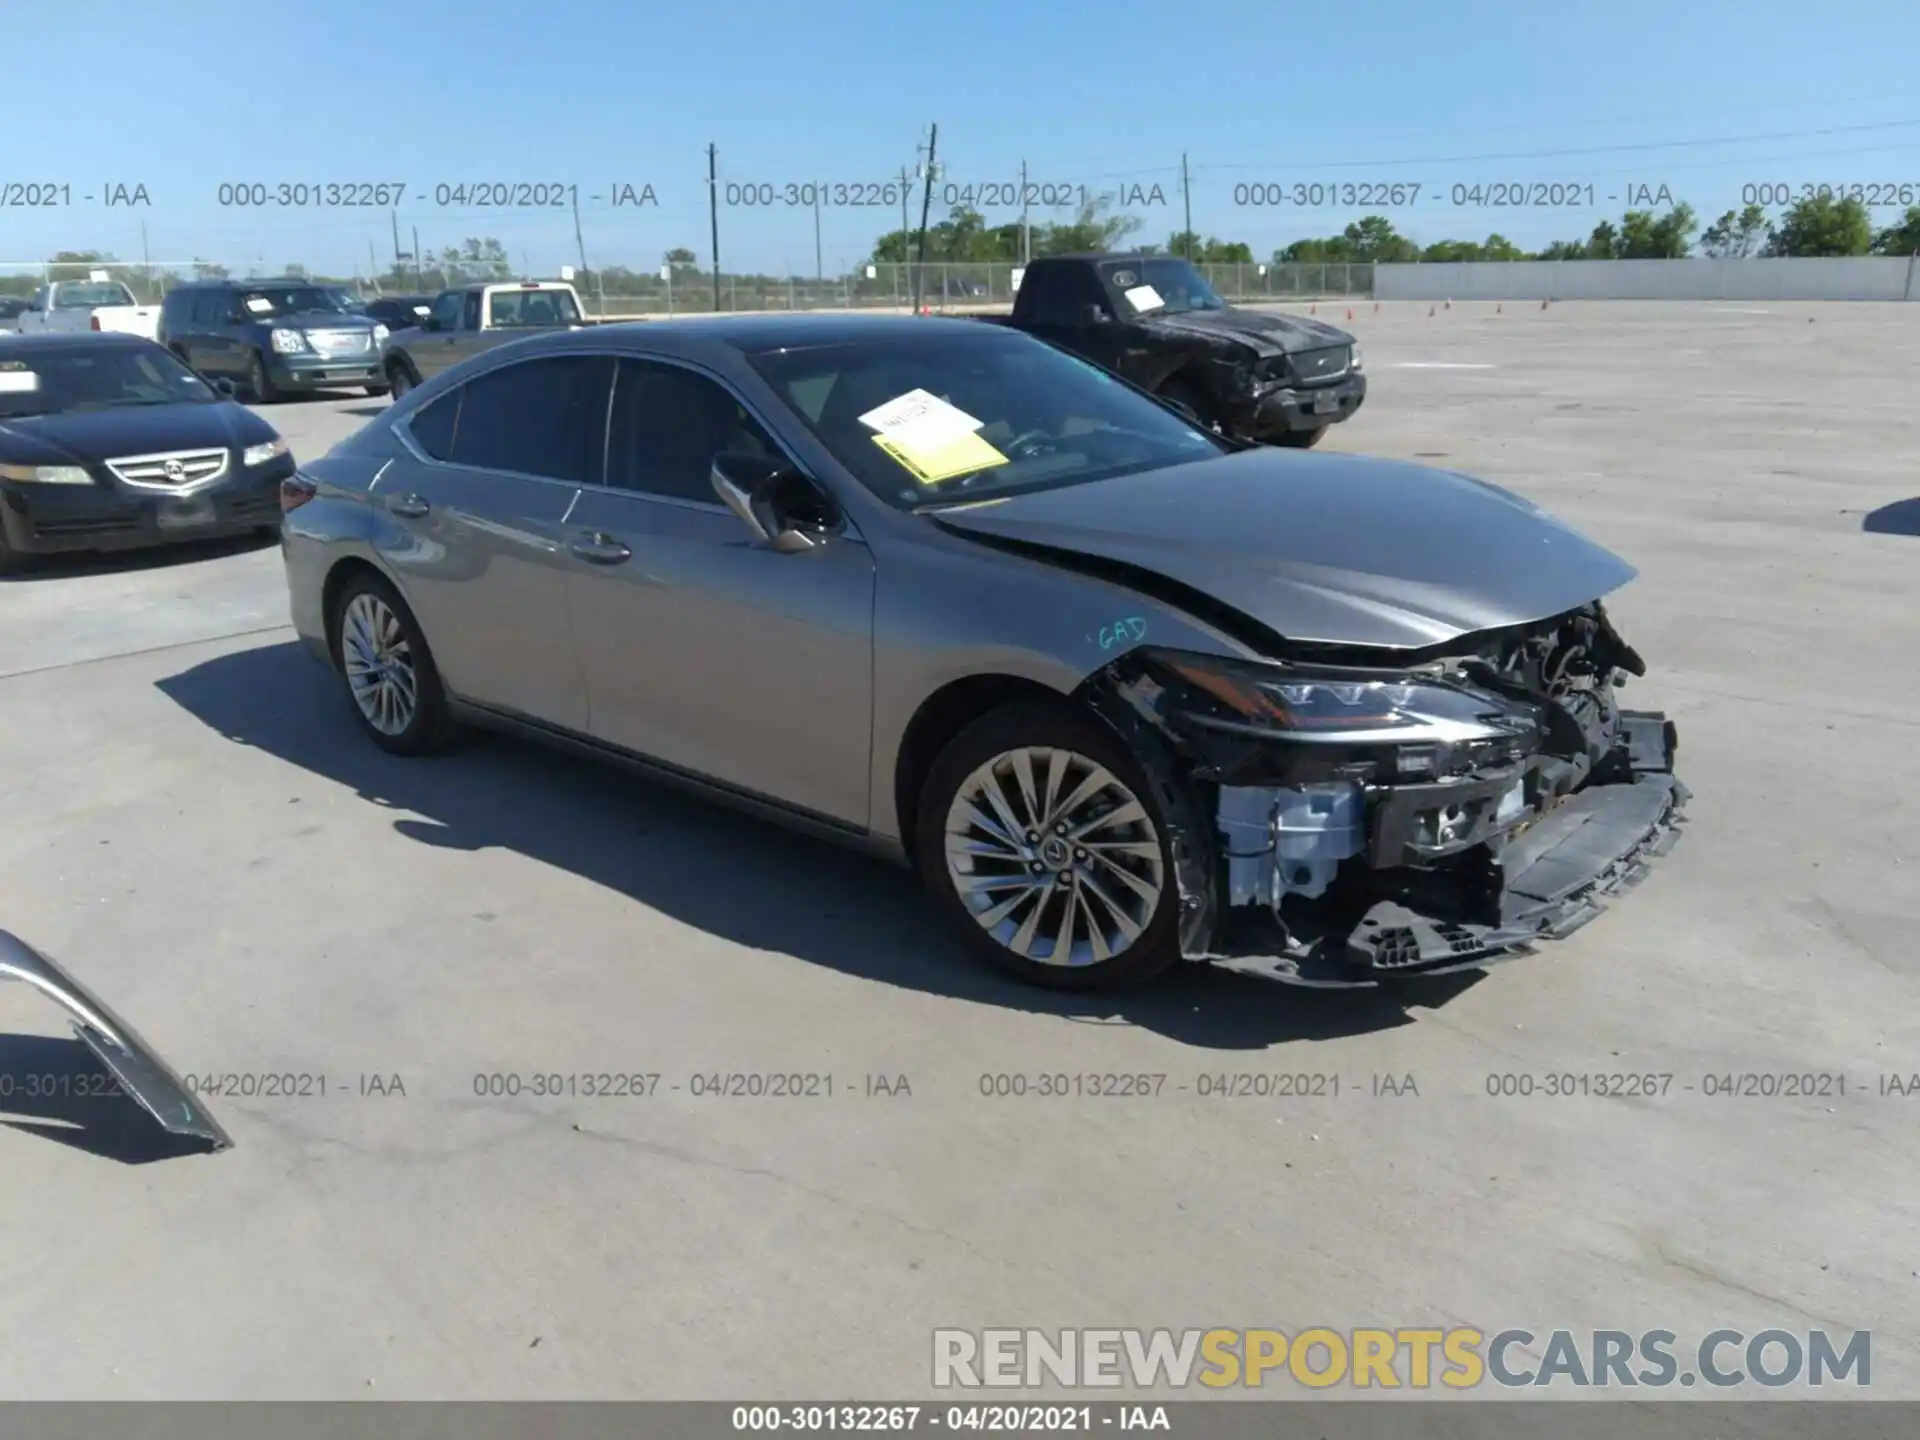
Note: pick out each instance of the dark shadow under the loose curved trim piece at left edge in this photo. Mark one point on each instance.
(57, 1090)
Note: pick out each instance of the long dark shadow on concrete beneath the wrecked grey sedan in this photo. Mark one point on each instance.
(732, 876)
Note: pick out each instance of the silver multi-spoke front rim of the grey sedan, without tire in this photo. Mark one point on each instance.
(1055, 857)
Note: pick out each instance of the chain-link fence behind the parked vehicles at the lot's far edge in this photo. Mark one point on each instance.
(944, 287)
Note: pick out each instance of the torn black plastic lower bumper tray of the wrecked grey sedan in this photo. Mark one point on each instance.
(1552, 878)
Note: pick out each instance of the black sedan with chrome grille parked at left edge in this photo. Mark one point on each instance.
(108, 443)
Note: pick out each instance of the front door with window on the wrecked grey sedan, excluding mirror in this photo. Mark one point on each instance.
(702, 646)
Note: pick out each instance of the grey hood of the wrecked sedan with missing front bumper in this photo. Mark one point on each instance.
(1337, 550)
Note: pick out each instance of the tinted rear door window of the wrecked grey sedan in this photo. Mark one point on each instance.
(539, 418)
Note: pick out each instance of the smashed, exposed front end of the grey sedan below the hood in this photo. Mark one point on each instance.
(1347, 817)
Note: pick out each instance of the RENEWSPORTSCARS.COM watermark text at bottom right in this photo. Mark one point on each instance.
(1397, 1358)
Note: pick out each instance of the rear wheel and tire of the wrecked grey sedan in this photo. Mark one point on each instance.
(387, 669)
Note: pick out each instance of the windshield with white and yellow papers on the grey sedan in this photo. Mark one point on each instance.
(946, 418)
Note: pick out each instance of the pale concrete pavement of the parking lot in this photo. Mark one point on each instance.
(195, 827)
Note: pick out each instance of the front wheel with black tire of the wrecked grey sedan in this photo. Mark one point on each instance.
(1040, 838)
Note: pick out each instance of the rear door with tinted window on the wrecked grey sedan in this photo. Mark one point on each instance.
(487, 562)
